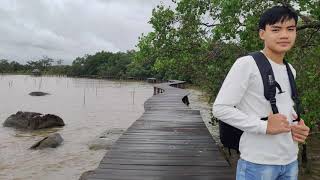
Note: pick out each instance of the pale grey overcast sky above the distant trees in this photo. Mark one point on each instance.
(67, 29)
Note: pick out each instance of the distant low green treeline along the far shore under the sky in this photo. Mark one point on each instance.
(102, 64)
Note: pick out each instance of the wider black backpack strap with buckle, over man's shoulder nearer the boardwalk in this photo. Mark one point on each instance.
(268, 79)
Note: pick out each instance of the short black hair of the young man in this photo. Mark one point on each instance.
(277, 14)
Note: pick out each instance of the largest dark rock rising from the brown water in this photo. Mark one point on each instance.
(33, 121)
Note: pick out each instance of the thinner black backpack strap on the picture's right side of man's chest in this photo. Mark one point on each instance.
(294, 92)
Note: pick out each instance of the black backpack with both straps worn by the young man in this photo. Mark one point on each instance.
(229, 135)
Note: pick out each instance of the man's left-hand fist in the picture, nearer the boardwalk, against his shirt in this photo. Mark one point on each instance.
(277, 123)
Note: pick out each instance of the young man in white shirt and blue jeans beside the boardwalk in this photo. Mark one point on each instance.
(268, 148)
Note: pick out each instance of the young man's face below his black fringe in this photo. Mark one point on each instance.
(279, 37)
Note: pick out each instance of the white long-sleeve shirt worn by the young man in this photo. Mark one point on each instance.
(241, 103)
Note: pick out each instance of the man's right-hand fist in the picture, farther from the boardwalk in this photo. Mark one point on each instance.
(300, 131)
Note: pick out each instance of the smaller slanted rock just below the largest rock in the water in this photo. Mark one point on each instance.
(52, 141)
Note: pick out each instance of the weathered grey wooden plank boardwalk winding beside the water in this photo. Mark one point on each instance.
(168, 142)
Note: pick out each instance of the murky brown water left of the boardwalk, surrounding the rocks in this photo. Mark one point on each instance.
(88, 107)
